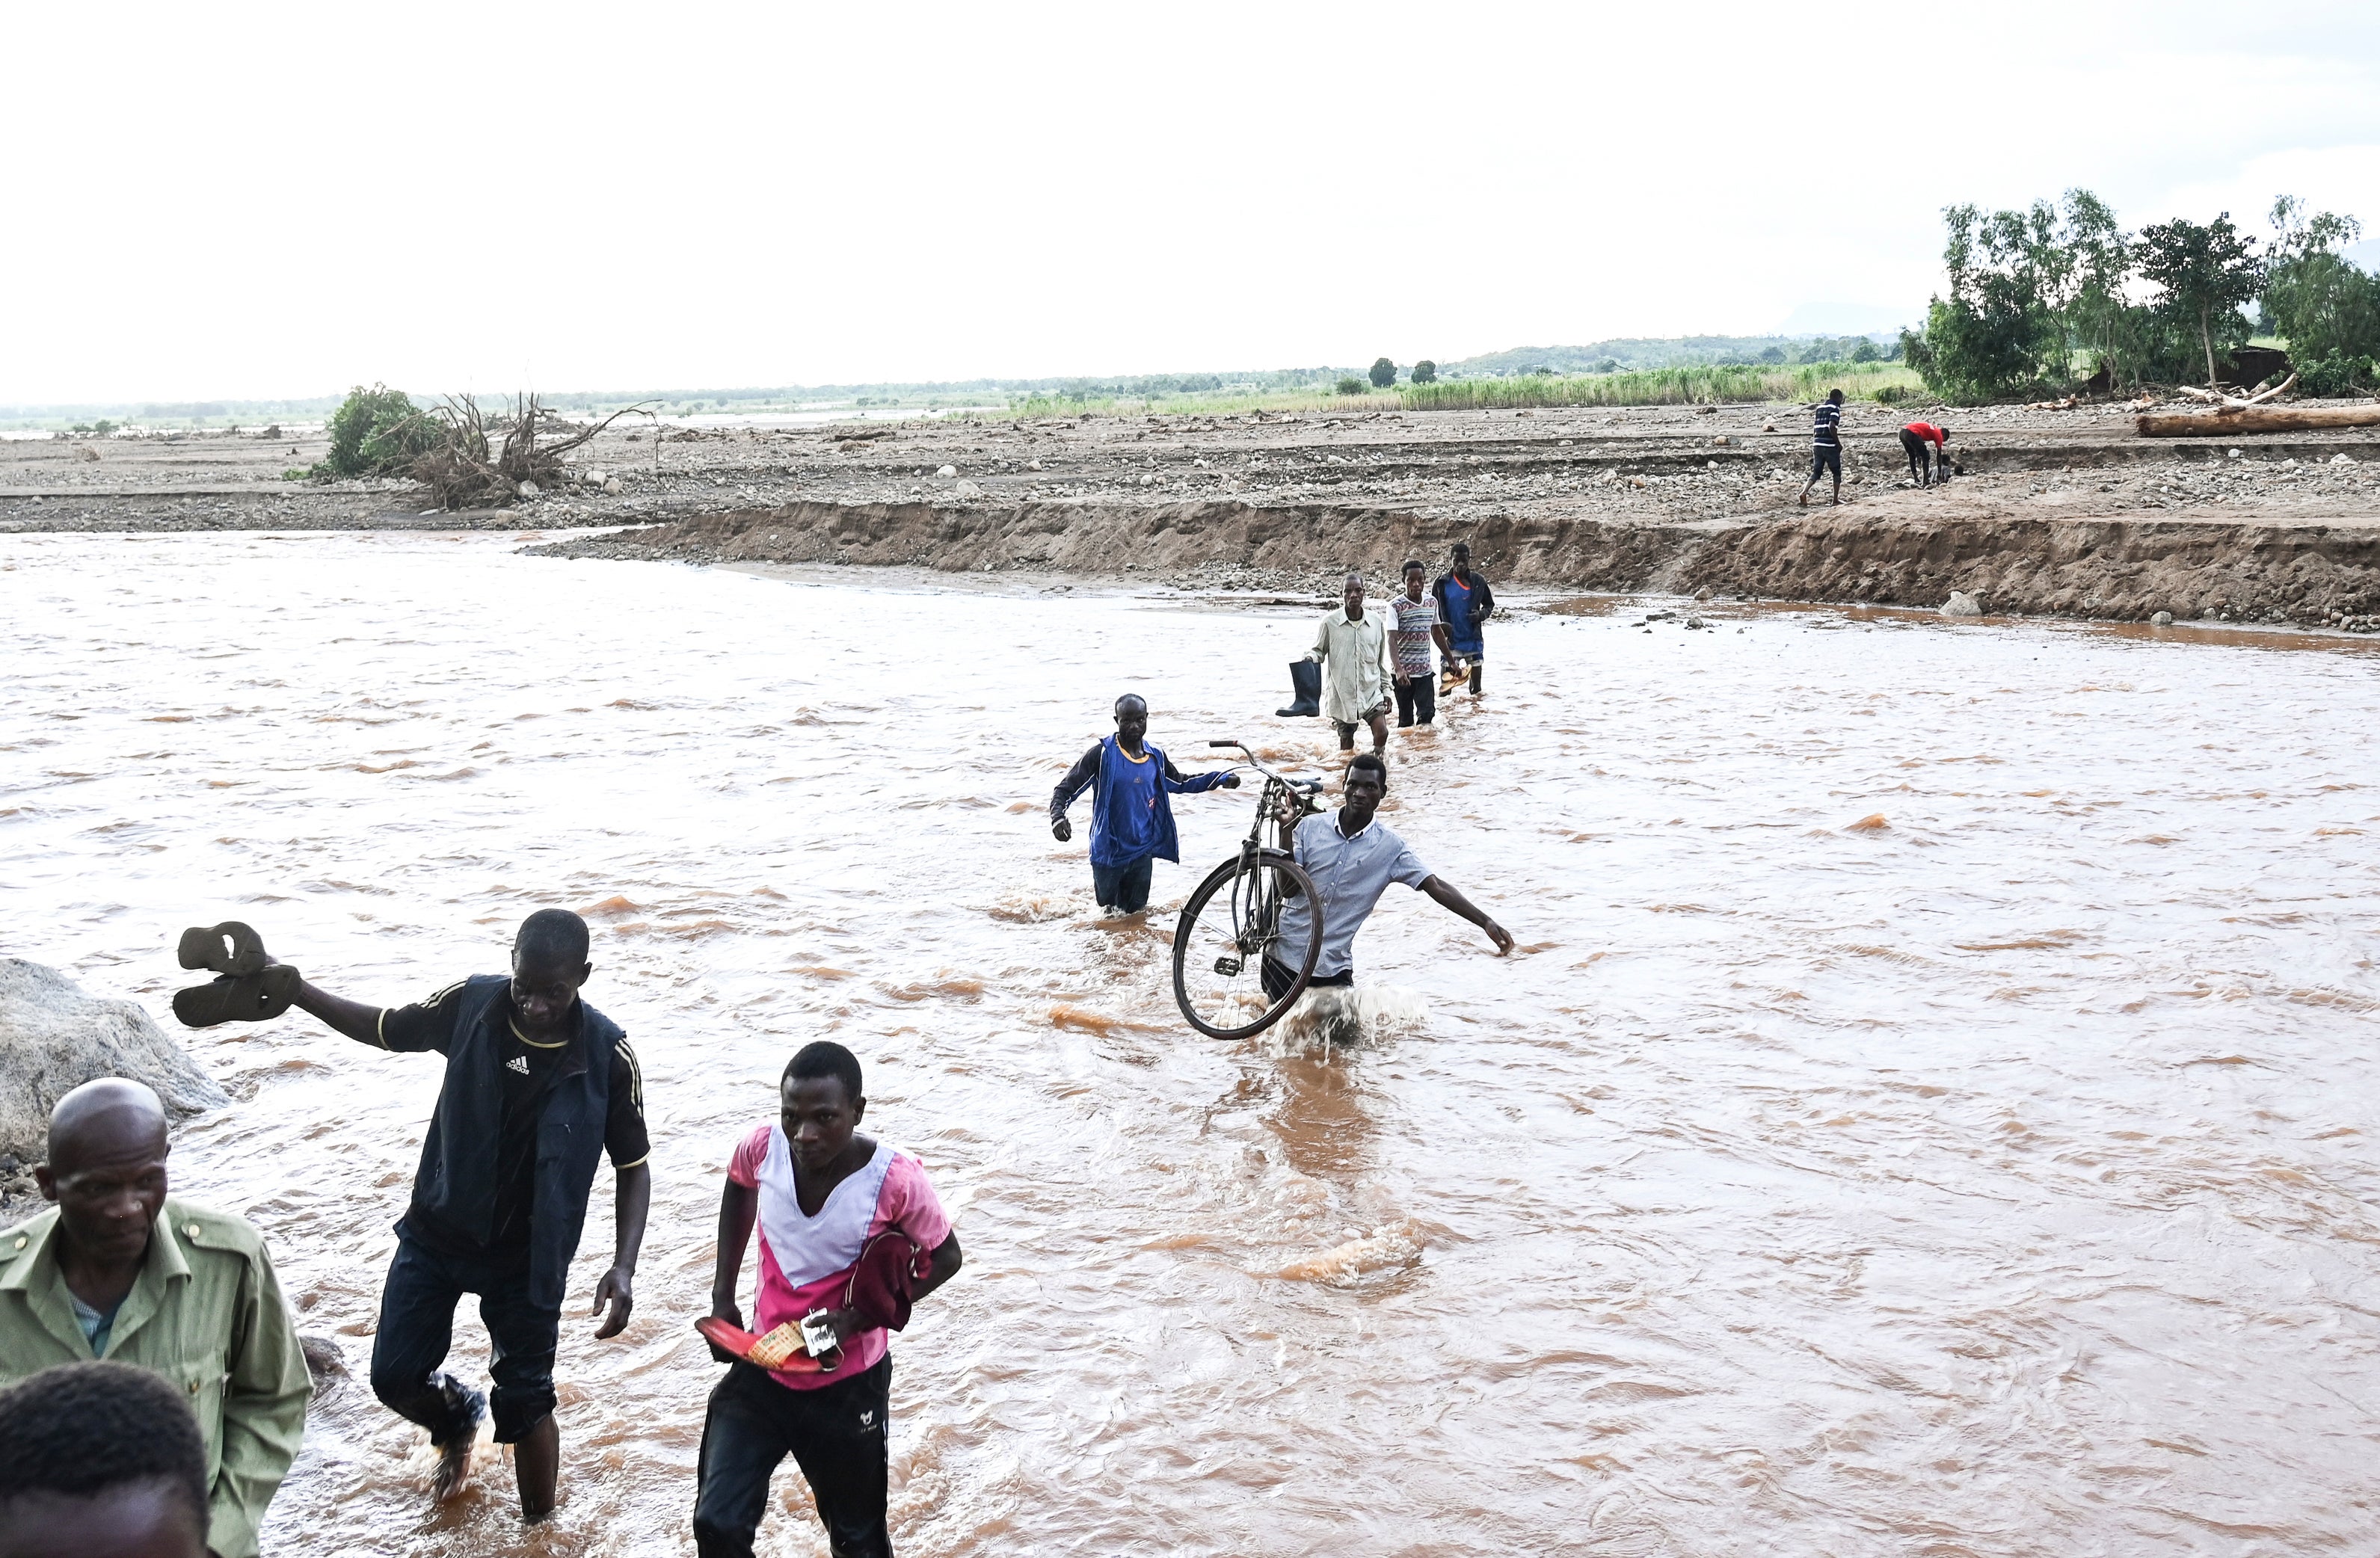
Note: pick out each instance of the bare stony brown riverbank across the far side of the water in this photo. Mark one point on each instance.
(2058, 513)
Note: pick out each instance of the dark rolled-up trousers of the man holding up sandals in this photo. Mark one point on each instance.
(418, 1328)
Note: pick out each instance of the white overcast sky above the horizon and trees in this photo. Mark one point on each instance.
(246, 201)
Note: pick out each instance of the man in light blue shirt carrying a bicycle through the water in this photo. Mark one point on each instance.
(1353, 857)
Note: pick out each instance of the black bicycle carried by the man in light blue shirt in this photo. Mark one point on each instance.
(1232, 924)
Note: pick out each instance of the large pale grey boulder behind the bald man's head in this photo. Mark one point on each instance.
(54, 1038)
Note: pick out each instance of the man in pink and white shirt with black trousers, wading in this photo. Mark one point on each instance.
(820, 1195)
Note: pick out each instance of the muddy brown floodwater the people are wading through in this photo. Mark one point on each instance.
(1996, 1179)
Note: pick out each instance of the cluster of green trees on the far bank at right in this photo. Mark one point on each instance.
(2060, 294)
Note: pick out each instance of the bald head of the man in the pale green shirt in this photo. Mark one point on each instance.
(106, 1169)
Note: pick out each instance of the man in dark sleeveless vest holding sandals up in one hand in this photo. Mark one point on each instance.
(539, 1086)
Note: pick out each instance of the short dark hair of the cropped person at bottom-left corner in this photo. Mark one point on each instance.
(89, 1428)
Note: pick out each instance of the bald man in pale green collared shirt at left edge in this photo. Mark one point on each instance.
(125, 1271)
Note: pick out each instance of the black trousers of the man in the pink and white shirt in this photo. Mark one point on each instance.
(837, 1436)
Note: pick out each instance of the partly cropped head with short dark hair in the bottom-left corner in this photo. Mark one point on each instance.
(101, 1462)
